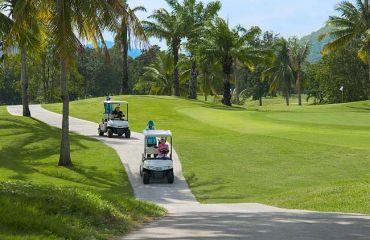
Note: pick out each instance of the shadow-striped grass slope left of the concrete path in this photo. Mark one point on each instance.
(39, 200)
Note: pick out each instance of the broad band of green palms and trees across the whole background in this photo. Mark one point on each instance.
(191, 66)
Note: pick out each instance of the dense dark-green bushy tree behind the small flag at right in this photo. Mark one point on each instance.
(342, 68)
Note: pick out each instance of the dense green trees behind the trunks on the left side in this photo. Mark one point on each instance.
(93, 76)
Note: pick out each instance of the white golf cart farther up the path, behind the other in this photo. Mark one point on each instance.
(114, 123)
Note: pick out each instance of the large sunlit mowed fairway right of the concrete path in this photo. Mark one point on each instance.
(310, 157)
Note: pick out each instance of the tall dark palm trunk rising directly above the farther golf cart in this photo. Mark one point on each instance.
(124, 46)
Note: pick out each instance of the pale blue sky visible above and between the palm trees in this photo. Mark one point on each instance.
(286, 17)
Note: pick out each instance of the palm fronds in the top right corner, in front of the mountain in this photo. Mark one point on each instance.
(354, 23)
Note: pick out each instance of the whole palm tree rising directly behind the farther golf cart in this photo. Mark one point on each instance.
(129, 31)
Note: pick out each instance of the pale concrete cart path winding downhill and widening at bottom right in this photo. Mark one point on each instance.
(187, 219)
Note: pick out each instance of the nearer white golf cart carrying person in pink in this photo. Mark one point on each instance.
(157, 161)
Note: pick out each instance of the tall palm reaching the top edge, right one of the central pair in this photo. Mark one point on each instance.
(196, 16)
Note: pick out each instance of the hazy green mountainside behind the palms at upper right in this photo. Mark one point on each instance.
(316, 46)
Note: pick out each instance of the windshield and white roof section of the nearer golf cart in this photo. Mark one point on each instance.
(154, 151)
